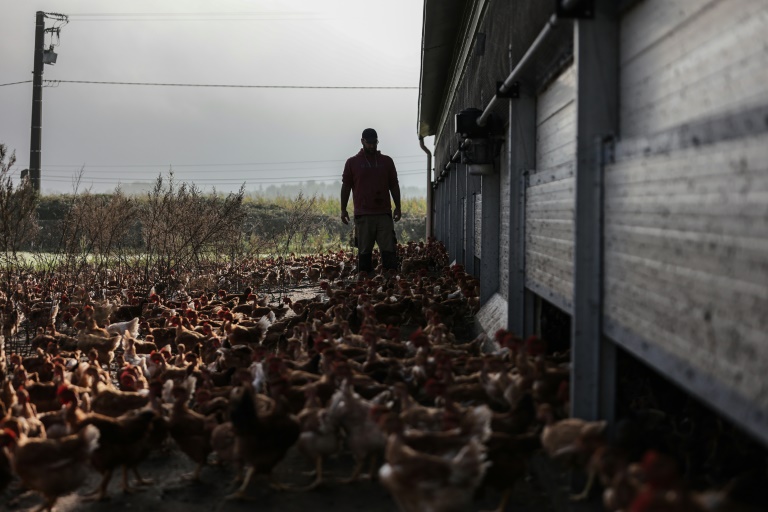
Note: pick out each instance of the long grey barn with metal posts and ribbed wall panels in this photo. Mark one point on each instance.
(602, 166)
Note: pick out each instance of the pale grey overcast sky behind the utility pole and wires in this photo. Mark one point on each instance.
(211, 135)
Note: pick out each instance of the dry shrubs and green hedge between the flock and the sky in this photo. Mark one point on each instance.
(172, 229)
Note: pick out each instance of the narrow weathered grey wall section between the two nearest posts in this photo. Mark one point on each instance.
(549, 211)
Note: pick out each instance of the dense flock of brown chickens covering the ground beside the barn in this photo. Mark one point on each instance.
(371, 365)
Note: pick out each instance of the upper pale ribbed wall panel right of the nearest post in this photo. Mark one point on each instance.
(690, 59)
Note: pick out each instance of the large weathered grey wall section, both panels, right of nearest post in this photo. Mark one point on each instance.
(686, 202)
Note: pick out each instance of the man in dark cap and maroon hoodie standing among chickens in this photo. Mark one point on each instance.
(371, 177)
